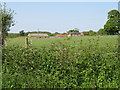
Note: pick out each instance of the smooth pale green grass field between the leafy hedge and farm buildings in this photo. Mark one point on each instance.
(101, 41)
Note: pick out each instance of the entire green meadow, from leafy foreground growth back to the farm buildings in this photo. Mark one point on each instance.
(70, 62)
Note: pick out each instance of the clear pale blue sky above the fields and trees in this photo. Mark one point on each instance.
(60, 16)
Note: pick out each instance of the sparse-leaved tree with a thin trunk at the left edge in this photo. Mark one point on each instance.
(6, 21)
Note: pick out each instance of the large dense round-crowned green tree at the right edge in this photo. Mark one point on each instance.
(112, 26)
